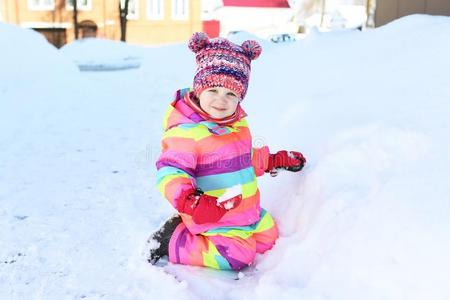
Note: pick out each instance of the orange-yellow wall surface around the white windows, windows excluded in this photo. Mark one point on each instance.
(105, 14)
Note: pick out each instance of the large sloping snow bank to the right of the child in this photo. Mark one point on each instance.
(368, 218)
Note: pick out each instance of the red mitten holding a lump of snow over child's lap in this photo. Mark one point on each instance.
(203, 208)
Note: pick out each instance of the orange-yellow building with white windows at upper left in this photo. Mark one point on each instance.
(149, 21)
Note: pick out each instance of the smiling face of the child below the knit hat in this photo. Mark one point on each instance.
(219, 102)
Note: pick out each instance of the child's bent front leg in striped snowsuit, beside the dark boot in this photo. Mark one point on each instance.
(216, 251)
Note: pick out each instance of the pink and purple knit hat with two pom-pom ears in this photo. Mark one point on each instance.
(221, 63)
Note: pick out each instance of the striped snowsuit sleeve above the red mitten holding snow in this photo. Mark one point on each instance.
(176, 164)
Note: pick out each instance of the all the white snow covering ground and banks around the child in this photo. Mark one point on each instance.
(366, 219)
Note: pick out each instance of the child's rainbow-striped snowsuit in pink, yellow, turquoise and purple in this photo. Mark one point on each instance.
(198, 153)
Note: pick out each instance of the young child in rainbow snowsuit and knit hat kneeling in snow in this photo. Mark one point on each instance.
(208, 168)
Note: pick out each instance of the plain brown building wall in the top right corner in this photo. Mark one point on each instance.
(389, 10)
